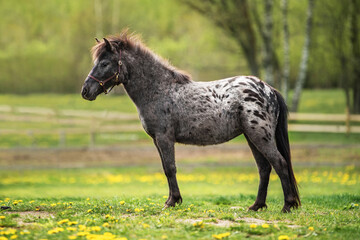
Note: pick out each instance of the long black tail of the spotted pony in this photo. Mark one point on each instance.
(283, 146)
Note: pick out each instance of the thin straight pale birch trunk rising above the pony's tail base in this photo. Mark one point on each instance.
(286, 66)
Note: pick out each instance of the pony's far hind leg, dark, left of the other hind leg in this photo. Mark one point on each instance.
(264, 168)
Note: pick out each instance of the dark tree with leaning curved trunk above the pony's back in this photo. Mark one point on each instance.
(233, 16)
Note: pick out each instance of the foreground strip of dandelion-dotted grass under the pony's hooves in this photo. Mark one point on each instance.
(127, 202)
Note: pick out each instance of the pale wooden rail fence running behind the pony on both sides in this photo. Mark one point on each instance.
(96, 122)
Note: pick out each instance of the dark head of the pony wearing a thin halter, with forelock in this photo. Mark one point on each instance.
(108, 70)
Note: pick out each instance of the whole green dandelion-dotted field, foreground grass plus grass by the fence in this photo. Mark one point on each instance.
(217, 186)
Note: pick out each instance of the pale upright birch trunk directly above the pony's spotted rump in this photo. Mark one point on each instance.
(268, 65)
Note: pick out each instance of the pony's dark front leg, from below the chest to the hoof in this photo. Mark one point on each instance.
(167, 154)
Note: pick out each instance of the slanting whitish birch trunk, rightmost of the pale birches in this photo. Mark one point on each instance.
(304, 59)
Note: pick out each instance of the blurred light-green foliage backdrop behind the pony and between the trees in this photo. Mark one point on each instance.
(45, 45)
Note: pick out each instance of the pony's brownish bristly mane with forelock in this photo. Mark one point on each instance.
(131, 41)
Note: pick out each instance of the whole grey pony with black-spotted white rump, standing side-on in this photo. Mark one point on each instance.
(173, 108)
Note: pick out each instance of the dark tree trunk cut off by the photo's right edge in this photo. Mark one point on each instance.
(354, 39)
